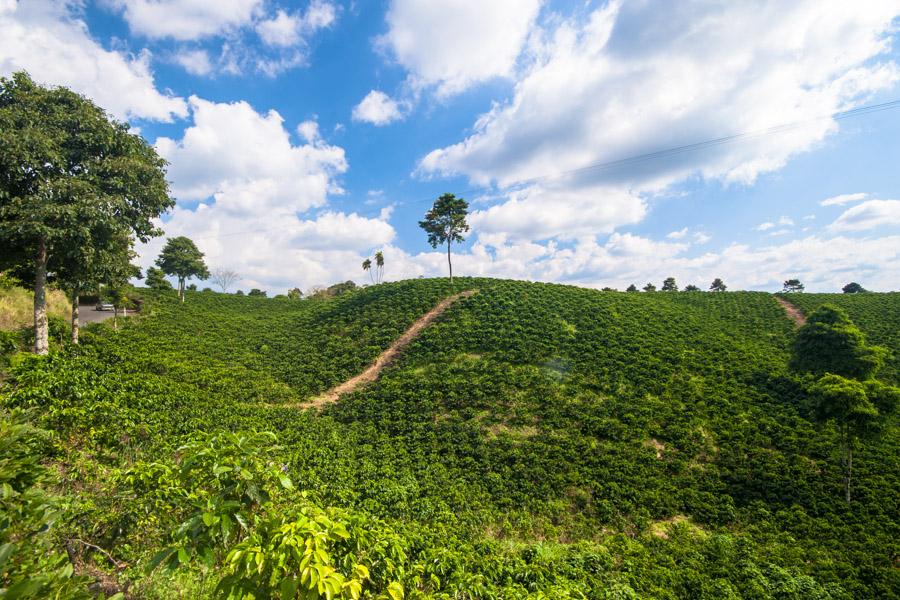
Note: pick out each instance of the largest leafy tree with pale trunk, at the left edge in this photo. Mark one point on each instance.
(71, 179)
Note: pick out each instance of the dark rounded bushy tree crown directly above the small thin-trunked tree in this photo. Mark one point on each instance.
(830, 343)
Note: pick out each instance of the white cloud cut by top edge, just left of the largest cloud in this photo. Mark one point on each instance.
(453, 45)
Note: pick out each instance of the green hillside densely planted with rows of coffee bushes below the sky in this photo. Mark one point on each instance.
(535, 440)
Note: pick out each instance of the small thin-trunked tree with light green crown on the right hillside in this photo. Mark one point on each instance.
(859, 410)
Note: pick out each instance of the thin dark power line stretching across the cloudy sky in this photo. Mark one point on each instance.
(641, 158)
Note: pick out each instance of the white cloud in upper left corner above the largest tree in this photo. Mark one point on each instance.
(55, 47)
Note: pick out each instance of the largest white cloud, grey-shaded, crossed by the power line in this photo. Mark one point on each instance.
(639, 77)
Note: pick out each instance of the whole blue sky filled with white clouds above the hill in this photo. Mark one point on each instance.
(304, 136)
